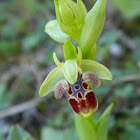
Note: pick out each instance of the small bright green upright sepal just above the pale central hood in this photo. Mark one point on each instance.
(69, 51)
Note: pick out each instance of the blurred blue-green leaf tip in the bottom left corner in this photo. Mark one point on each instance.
(17, 133)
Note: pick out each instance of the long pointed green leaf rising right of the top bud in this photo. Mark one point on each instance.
(92, 27)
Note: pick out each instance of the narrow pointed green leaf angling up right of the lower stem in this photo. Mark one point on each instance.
(102, 124)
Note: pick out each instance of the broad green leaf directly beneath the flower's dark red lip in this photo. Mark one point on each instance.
(85, 128)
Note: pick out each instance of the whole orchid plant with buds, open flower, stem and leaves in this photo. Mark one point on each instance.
(80, 72)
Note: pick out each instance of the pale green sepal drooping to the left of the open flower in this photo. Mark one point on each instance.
(49, 83)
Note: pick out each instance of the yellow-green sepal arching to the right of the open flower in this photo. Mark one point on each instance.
(100, 70)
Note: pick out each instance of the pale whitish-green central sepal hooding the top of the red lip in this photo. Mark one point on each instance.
(70, 70)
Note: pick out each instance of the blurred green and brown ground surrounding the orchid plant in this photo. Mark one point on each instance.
(26, 59)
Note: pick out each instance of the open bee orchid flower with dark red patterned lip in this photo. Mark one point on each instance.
(76, 77)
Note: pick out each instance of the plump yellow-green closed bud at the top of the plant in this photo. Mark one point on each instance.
(70, 17)
